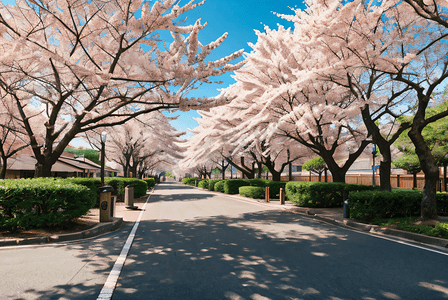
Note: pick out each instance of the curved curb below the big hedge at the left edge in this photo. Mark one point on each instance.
(98, 229)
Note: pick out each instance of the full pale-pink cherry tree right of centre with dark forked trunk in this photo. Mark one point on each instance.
(277, 94)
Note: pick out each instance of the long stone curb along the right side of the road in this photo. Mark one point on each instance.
(348, 223)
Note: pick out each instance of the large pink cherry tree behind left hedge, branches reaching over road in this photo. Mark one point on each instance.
(92, 64)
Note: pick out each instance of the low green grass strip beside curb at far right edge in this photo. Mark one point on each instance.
(440, 229)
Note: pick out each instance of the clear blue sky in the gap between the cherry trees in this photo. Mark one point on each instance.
(239, 18)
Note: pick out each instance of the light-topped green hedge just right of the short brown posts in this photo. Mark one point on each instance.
(321, 194)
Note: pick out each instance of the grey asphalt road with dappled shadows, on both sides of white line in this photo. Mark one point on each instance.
(192, 244)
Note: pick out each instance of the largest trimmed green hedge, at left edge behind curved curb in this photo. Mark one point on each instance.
(26, 203)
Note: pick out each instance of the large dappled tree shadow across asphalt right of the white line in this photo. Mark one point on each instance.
(272, 255)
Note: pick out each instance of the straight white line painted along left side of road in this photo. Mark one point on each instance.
(109, 287)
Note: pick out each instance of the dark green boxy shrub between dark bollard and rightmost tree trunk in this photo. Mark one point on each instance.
(367, 205)
